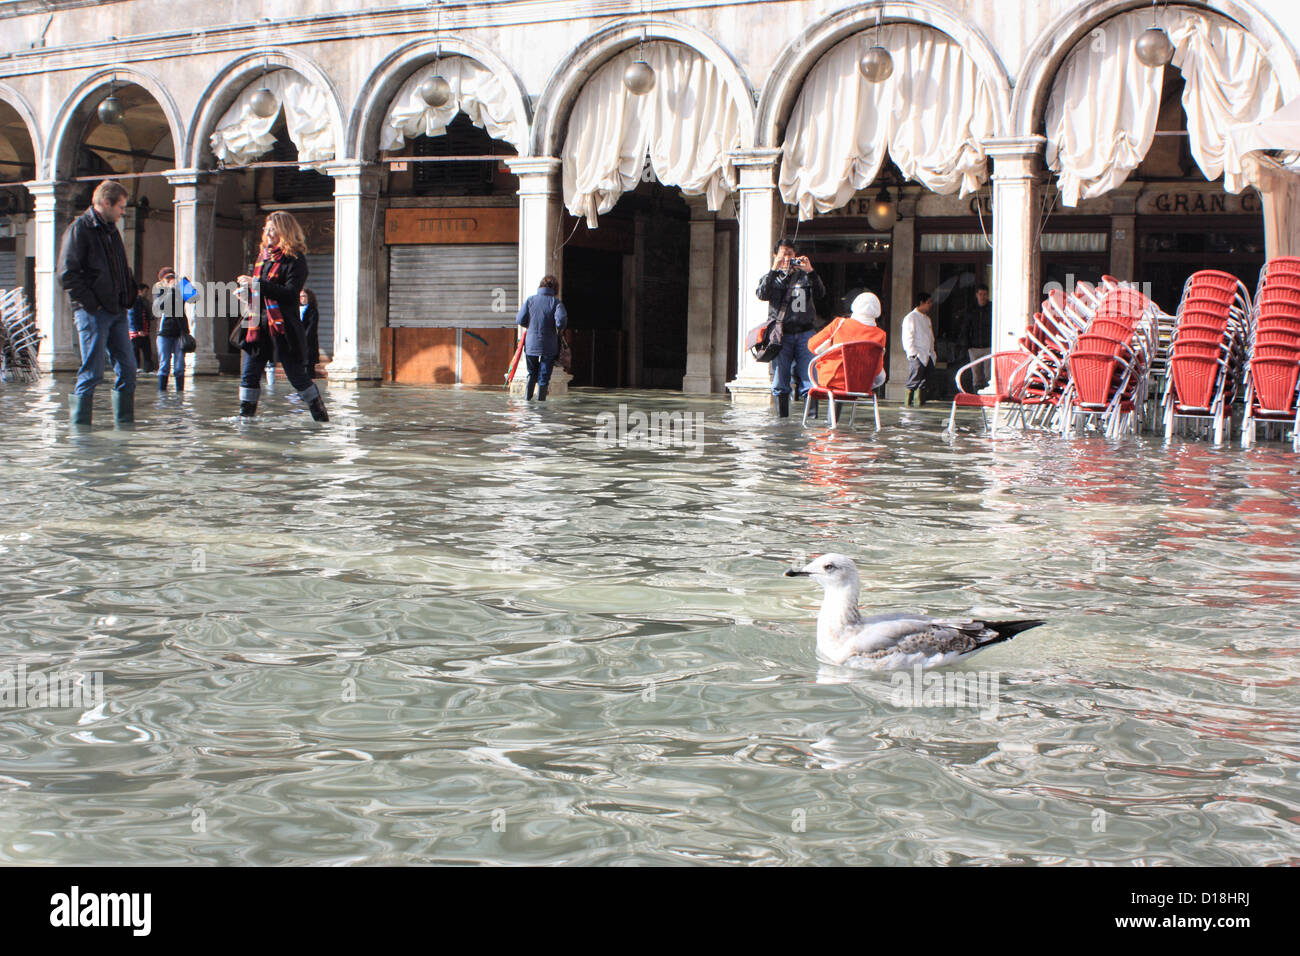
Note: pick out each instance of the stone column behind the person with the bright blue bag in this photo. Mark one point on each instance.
(196, 207)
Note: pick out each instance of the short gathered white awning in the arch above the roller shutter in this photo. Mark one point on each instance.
(476, 92)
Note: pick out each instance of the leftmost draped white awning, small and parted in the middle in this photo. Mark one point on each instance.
(242, 136)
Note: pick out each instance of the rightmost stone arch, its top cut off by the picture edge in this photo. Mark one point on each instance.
(1046, 57)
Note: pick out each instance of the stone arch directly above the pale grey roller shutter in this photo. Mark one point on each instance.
(384, 83)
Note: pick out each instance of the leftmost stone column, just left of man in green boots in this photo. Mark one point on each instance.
(59, 348)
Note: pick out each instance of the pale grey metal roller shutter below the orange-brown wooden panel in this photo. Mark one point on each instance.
(449, 287)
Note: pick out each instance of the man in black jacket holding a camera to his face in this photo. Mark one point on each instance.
(790, 291)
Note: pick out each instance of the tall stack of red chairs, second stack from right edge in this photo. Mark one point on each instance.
(1207, 352)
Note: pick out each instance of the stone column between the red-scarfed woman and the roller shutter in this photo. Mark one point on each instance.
(358, 233)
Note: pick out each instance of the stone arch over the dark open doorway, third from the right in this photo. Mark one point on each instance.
(566, 83)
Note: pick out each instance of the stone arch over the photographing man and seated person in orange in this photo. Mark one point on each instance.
(801, 55)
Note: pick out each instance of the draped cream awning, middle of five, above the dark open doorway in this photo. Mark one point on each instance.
(688, 124)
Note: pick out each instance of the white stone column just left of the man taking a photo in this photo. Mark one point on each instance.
(760, 219)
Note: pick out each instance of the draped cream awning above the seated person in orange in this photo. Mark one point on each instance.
(930, 116)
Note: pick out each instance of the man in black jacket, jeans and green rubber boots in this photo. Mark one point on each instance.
(97, 278)
